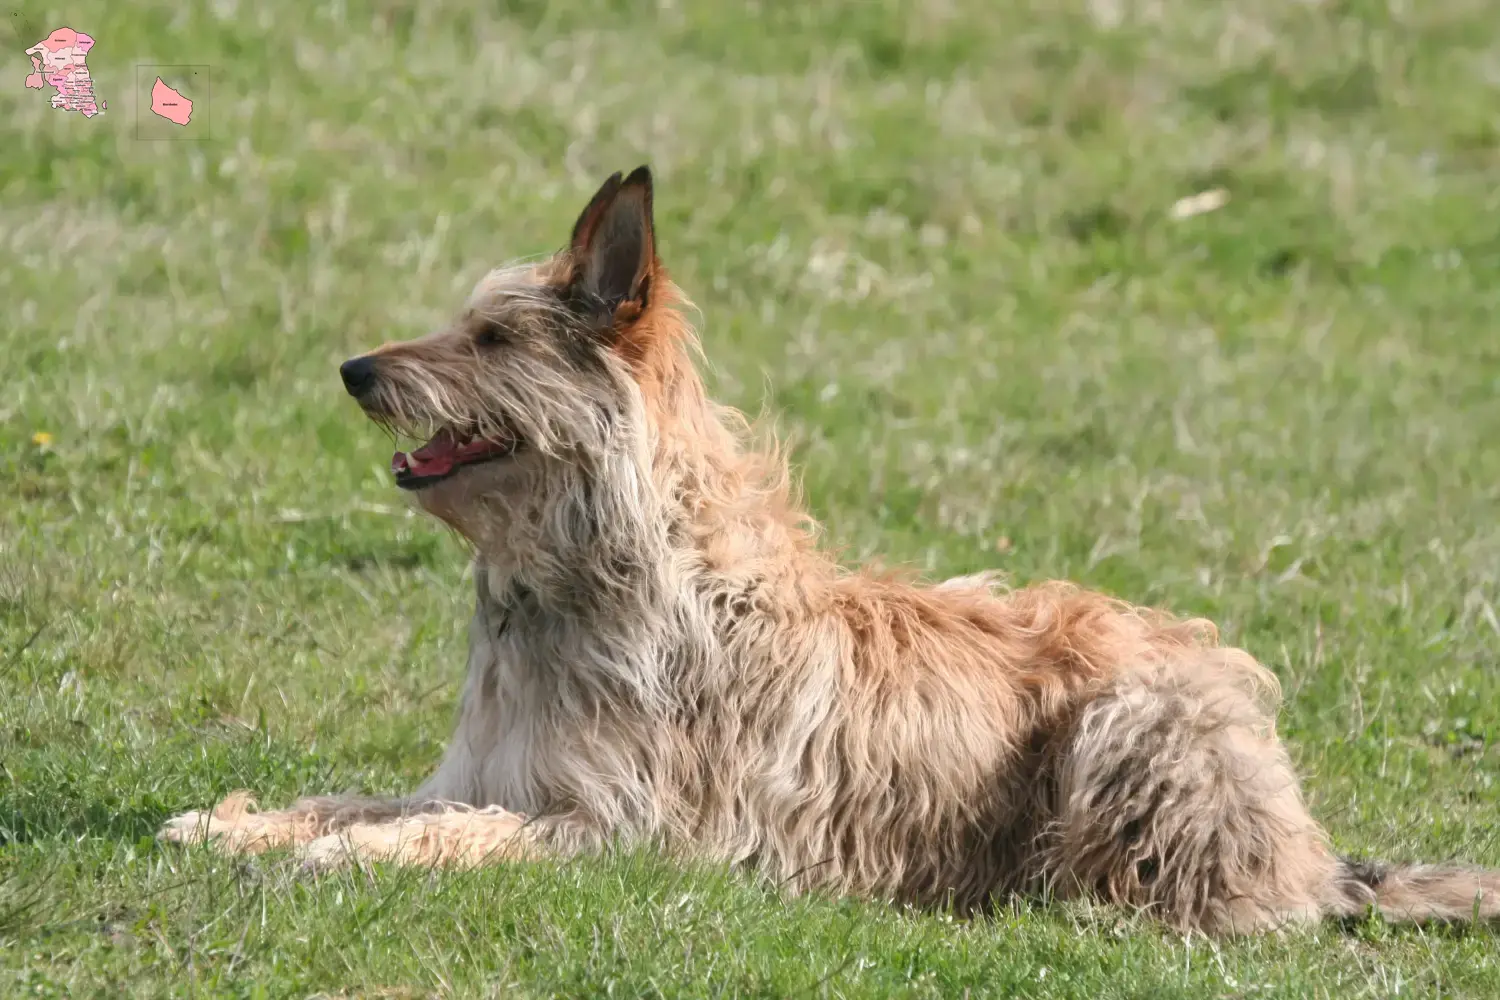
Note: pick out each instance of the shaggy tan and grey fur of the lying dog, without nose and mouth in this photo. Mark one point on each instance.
(661, 654)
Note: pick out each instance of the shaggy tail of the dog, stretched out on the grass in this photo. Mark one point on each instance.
(1417, 893)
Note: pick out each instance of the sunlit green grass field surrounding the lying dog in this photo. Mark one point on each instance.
(937, 238)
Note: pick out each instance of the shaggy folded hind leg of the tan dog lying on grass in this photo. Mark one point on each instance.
(1174, 795)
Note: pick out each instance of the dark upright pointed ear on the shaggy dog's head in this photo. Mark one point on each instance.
(614, 245)
